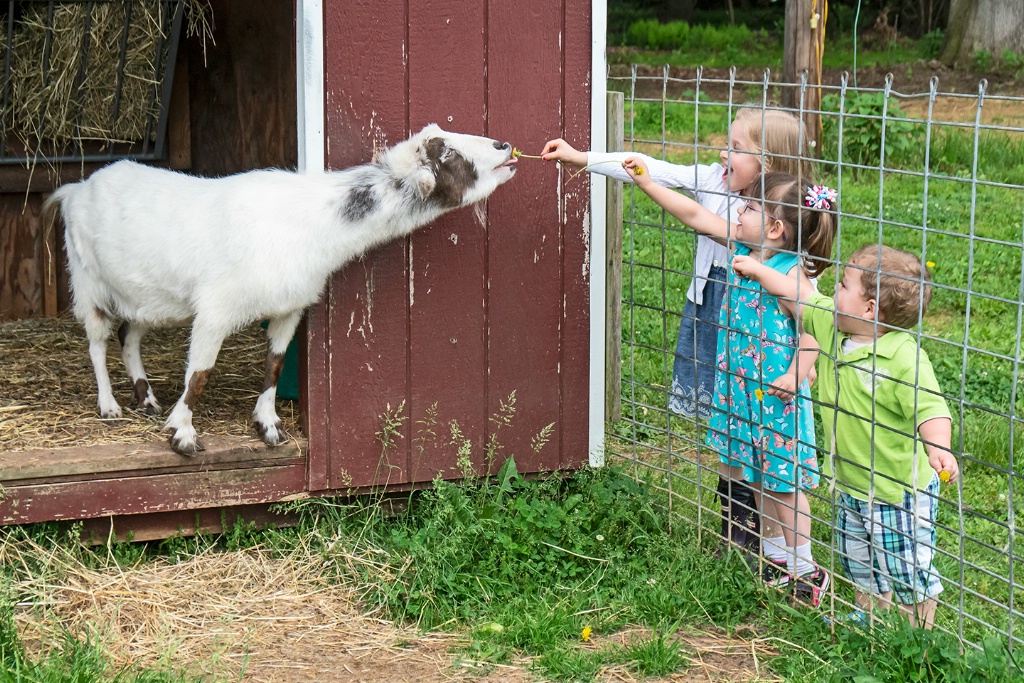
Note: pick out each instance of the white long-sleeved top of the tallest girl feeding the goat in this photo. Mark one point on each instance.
(706, 183)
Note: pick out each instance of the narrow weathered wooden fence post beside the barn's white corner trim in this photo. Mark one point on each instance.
(614, 280)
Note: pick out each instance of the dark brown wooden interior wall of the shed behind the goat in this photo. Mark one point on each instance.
(238, 113)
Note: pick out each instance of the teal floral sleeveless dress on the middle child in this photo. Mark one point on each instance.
(748, 428)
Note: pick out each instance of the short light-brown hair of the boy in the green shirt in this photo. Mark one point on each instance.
(894, 279)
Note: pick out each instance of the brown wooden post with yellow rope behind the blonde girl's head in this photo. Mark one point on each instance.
(803, 48)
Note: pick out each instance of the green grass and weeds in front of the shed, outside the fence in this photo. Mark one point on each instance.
(523, 568)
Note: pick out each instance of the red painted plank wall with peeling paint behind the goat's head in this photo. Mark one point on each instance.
(460, 315)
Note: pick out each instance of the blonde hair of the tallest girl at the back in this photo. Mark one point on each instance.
(781, 138)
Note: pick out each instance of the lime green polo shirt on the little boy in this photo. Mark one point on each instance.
(883, 393)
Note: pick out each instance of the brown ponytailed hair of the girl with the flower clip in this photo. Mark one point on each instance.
(809, 231)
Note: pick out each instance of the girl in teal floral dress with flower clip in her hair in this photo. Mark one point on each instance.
(762, 422)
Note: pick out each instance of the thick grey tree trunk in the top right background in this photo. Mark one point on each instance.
(992, 26)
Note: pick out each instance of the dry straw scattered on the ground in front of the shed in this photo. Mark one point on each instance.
(253, 617)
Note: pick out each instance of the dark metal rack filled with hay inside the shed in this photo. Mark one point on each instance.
(87, 81)
